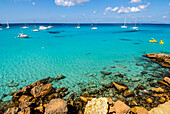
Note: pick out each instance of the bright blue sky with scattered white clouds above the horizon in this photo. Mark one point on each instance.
(84, 11)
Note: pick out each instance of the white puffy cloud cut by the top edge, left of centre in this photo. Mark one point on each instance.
(69, 2)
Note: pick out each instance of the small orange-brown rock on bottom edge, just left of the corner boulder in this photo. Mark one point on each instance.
(139, 110)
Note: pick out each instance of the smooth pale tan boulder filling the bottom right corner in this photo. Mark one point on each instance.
(161, 109)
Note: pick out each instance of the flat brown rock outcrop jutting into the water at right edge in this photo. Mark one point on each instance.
(160, 58)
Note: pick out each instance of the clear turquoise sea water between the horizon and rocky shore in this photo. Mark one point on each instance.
(75, 53)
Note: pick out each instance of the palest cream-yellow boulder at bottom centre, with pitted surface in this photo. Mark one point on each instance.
(97, 106)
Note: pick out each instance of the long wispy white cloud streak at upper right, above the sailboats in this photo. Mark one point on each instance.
(123, 9)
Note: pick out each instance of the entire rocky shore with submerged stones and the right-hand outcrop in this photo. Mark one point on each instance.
(147, 97)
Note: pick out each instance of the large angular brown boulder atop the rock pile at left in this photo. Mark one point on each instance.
(41, 90)
